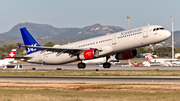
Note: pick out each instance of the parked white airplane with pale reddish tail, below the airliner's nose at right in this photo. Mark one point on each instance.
(151, 59)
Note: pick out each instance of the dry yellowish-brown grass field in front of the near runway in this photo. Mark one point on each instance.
(115, 92)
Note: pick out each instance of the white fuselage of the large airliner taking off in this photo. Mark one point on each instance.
(109, 44)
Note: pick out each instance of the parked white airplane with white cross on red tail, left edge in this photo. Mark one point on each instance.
(9, 59)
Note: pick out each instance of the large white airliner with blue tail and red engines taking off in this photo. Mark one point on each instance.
(121, 44)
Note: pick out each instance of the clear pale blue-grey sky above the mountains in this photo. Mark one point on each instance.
(81, 13)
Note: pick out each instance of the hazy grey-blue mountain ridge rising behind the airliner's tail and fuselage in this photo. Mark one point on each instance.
(45, 33)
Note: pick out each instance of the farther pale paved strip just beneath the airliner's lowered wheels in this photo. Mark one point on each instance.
(92, 67)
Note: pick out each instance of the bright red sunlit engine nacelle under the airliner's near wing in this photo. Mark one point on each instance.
(89, 54)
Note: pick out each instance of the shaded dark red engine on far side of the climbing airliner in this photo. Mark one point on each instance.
(126, 54)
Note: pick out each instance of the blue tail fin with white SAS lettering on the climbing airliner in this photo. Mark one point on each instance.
(28, 40)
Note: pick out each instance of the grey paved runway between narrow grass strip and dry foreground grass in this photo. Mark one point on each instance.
(92, 80)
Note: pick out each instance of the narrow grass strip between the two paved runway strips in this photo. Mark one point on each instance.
(91, 73)
